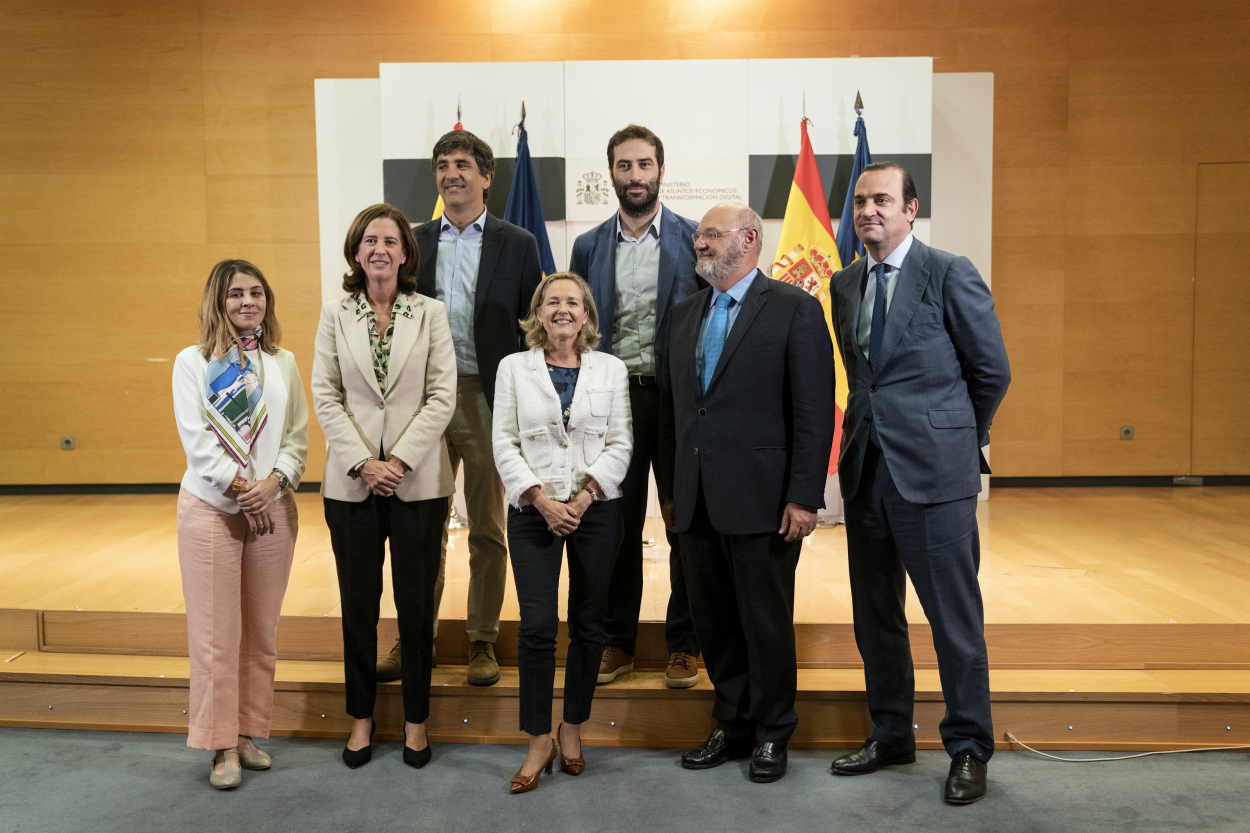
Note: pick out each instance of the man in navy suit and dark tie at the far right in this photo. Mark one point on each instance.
(927, 370)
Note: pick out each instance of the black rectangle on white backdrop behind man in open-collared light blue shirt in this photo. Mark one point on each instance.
(408, 184)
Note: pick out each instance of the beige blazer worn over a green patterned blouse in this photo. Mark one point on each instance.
(408, 422)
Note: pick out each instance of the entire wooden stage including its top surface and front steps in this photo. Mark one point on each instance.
(1117, 620)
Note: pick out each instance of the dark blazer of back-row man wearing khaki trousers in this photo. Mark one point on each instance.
(508, 276)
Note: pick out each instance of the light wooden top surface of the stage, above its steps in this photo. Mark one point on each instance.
(1112, 556)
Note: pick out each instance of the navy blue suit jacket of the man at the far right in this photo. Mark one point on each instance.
(934, 390)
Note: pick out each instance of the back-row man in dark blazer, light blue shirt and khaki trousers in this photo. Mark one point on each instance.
(486, 272)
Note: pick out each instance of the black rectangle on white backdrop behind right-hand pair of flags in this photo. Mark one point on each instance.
(772, 177)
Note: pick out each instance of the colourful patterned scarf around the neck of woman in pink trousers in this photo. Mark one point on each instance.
(234, 390)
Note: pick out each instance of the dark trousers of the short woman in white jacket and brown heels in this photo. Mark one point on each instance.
(537, 555)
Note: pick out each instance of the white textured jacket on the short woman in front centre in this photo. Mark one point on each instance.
(529, 438)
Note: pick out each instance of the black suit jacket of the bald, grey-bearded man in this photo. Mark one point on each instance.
(761, 437)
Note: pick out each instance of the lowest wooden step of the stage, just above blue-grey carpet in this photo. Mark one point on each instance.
(1061, 709)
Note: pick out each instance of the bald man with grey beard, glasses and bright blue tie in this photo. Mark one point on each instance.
(747, 428)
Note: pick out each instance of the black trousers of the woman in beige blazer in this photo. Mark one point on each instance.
(358, 532)
